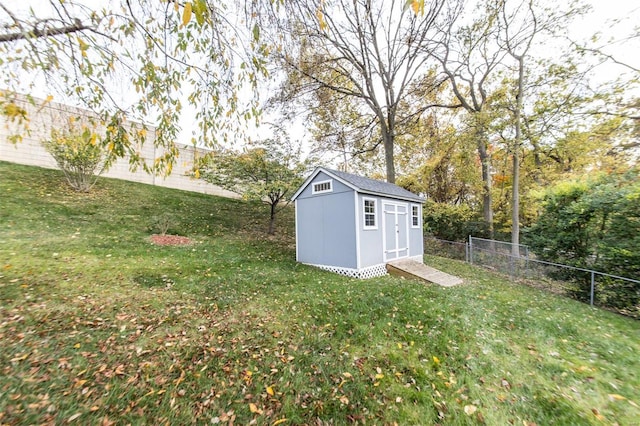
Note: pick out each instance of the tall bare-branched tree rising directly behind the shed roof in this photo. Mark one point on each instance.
(367, 50)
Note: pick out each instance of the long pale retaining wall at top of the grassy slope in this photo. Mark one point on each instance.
(45, 115)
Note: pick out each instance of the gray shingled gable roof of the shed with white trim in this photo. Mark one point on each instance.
(363, 185)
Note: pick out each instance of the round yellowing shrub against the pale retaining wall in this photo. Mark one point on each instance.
(79, 153)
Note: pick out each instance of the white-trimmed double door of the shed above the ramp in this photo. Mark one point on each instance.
(395, 232)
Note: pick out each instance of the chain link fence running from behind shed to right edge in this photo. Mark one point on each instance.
(596, 288)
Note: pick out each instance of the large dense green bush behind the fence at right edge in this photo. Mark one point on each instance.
(594, 224)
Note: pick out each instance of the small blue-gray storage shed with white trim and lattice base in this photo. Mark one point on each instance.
(354, 225)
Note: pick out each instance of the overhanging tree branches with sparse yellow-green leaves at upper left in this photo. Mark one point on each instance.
(147, 60)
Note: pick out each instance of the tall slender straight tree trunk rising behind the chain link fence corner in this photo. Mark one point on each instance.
(515, 212)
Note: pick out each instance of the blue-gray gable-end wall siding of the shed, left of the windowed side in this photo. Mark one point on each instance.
(328, 237)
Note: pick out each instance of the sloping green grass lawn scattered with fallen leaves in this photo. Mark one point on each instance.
(100, 326)
